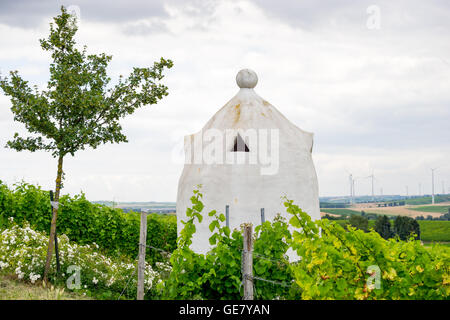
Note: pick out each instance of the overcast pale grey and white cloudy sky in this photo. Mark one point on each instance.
(376, 93)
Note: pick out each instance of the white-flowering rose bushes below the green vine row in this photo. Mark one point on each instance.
(23, 251)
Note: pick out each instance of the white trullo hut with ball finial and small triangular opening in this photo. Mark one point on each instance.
(247, 156)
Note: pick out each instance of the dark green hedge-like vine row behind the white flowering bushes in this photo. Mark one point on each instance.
(84, 222)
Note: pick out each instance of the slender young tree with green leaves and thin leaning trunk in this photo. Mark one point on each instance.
(78, 109)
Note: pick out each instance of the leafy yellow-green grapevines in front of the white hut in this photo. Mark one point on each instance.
(335, 263)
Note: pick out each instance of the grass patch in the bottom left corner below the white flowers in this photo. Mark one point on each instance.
(13, 289)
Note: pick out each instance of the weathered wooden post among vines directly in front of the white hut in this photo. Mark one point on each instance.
(247, 262)
